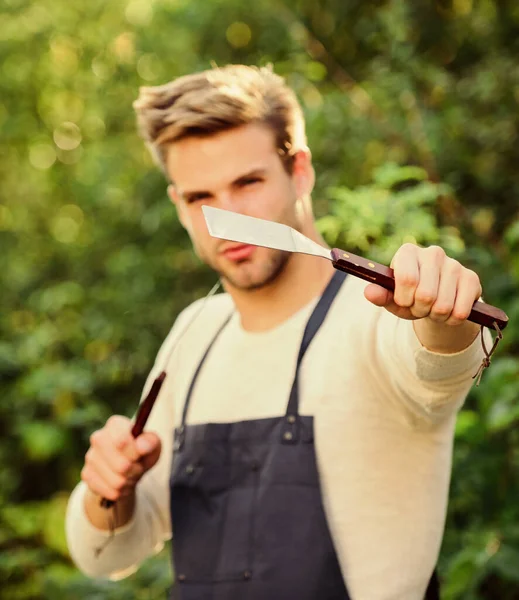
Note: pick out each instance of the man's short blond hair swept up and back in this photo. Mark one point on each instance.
(220, 99)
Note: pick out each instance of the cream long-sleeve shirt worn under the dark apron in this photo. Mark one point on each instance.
(384, 413)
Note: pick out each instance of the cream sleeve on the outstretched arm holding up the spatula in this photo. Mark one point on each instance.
(431, 386)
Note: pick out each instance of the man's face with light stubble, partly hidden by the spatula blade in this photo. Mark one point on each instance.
(238, 170)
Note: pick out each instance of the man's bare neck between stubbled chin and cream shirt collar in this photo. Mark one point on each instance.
(303, 279)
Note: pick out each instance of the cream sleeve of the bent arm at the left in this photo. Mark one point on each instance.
(150, 525)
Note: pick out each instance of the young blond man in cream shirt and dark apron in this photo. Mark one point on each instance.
(314, 415)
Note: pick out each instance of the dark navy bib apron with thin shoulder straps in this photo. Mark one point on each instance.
(246, 508)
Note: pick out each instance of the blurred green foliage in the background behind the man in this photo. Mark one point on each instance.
(412, 112)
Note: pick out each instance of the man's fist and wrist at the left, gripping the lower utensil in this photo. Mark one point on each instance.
(114, 464)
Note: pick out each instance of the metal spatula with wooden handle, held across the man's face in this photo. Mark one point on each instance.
(235, 227)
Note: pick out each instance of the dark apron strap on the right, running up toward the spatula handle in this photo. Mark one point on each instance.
(290, 432)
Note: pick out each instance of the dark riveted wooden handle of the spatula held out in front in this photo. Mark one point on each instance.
(481, 313)
